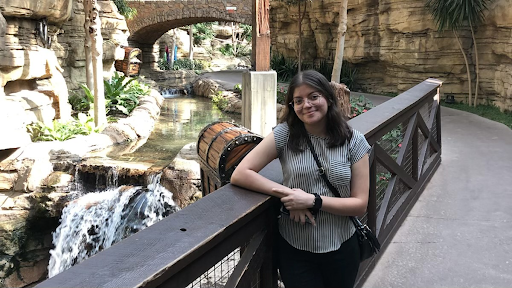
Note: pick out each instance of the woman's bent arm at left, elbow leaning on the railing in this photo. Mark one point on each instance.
(246, 173)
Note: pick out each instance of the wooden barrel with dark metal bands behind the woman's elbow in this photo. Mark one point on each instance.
(221, 146)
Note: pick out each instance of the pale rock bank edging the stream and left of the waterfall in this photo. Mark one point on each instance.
(35, 182)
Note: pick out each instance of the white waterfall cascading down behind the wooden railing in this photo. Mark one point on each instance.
(97, 220)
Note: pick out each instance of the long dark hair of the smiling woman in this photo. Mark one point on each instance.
(337, 128)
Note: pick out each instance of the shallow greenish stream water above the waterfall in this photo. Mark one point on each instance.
(181, 120)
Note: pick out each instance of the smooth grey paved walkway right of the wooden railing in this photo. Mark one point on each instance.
(459, 233)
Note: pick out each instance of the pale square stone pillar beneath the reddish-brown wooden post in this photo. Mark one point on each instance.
(259, 101)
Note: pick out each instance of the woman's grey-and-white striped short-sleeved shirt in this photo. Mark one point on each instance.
(301, 171)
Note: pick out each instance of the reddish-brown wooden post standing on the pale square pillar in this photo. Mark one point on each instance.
(261, 35)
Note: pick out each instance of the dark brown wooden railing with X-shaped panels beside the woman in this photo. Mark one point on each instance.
(226, 239)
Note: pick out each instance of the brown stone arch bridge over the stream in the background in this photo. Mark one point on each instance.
(155, 17)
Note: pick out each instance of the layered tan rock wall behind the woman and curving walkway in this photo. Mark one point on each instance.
(394, 45)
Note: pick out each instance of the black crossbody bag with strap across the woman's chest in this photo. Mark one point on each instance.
(368, 243)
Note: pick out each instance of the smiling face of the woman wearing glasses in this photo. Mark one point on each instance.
(309, 105)
